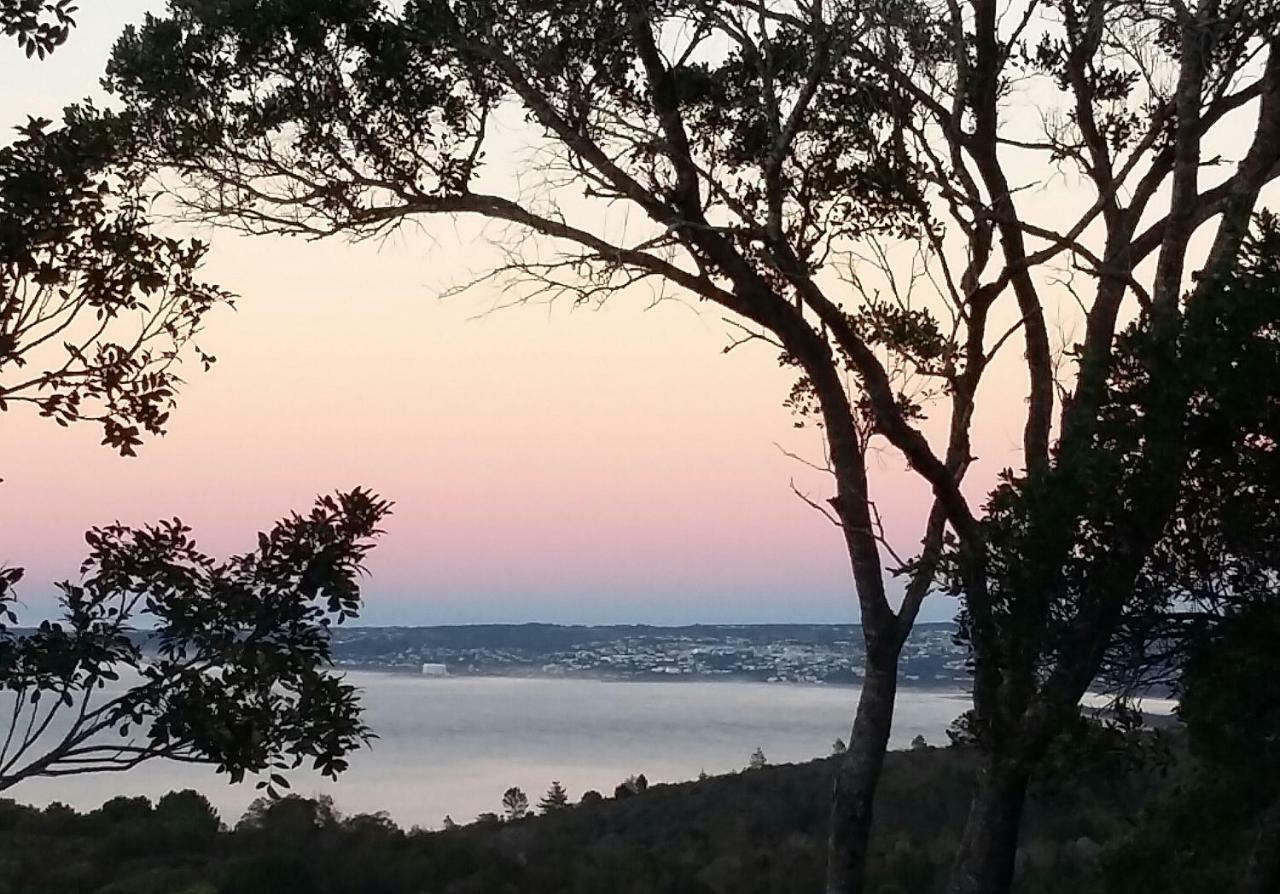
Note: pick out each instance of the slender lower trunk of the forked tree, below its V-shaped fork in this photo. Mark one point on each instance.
(857, 778)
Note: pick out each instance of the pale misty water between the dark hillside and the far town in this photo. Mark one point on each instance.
(455, 746)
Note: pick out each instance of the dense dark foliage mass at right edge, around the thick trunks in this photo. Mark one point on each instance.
(1210, 535)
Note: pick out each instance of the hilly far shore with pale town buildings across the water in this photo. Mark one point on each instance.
(815, 654)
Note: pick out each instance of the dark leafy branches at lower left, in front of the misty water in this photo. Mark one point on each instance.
(166, 653)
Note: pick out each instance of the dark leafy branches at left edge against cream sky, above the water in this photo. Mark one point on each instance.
(97, 311)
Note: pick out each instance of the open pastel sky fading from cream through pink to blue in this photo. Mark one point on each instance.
(548, 464)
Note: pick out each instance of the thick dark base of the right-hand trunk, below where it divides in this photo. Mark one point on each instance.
(985, 864)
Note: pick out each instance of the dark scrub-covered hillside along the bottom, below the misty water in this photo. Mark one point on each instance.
(1114, 825)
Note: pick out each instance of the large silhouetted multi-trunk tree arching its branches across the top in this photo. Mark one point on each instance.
(770, 149)
